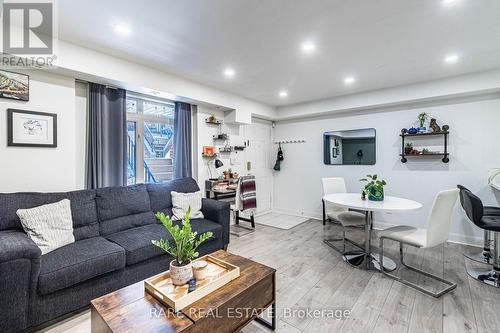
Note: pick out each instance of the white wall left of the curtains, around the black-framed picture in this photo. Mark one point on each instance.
(46, 169)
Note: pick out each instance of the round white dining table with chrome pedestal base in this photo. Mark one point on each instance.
(369, 258)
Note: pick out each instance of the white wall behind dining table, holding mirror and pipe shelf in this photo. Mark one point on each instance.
(474, 148)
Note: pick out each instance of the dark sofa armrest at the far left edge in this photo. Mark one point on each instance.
(19, 269)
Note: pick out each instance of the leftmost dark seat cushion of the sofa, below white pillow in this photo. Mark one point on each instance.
(78, 262)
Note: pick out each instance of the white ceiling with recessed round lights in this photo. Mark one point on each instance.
(382, 43)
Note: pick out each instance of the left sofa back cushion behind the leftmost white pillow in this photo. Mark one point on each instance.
(83, 210)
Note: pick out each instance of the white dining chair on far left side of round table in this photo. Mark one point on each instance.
(345, 217)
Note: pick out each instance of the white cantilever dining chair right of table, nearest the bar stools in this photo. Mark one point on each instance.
(436, 233)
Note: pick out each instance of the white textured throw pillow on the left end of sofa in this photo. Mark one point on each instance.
(49, 226)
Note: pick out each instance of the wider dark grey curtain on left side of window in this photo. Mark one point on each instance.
(106, 137)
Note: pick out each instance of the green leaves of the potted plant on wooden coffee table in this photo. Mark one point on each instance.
(184, 243)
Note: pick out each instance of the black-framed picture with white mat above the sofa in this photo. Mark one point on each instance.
(31, 129)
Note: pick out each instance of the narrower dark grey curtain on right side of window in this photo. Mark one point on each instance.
(182, 140)
